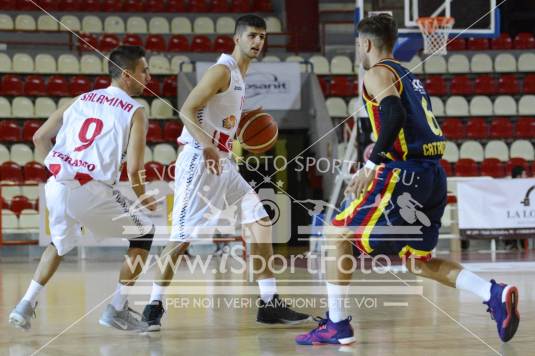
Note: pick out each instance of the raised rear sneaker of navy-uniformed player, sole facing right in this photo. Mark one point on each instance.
(503, 308)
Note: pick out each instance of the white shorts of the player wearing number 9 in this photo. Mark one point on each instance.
(98, 207)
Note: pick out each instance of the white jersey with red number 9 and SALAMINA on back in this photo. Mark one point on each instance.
(93, 138)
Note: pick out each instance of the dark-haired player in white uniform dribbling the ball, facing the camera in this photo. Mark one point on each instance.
(206, 177)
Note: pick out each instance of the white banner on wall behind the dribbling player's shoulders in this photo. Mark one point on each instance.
(273, 86)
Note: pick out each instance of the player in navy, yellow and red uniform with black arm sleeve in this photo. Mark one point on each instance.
(401, 186)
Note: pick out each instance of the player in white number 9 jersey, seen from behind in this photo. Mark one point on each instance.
(94, 134)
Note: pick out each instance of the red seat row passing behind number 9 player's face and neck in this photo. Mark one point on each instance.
(57, 85)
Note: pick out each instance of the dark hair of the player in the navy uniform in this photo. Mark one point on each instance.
(383, 27)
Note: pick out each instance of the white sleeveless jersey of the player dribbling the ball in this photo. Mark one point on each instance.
(221, 115)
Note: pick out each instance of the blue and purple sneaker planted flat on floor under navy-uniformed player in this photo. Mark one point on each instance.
(327, 332)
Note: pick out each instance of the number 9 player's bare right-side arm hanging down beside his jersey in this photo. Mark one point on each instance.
(135, 157)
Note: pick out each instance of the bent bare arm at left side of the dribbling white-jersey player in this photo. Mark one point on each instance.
(216, 79)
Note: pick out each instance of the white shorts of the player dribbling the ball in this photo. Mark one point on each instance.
(206, 204)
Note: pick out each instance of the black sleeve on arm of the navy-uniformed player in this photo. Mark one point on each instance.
(393, 118)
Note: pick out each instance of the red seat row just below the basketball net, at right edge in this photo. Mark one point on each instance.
(483, 84)
